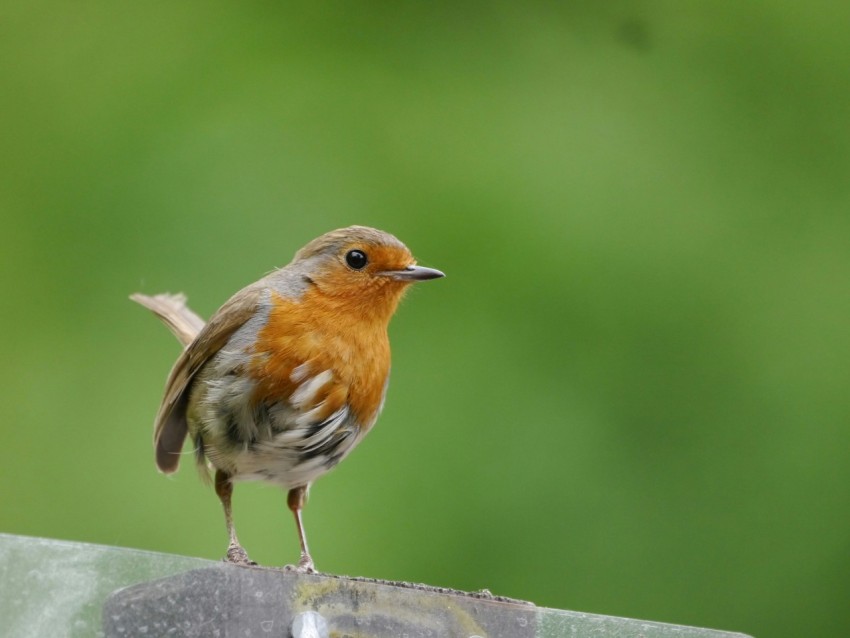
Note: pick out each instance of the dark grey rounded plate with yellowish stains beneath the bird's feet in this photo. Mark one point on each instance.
(229, 601)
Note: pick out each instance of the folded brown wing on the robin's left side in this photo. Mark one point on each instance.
(171, 427)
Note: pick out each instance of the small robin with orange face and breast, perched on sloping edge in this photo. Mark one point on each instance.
(290, 374)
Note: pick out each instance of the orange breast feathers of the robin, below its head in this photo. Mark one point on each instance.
(315, 334)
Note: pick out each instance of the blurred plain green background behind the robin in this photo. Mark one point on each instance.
(630, 394)
